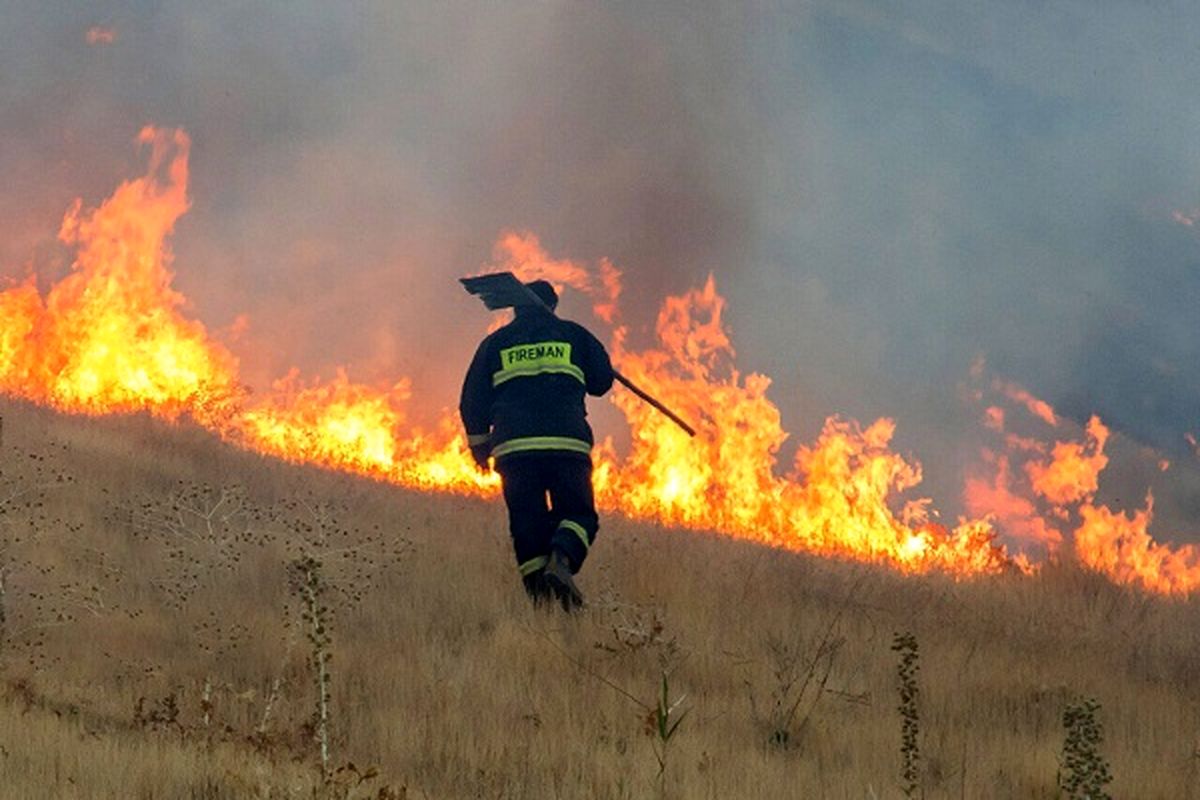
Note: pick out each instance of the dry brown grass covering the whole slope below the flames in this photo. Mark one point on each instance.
(141, 667)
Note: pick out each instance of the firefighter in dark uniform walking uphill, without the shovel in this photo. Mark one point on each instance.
(523, 406)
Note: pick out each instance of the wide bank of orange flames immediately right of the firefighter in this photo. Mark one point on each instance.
(839, 496)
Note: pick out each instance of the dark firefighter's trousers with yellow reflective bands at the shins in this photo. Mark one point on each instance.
(551, 507)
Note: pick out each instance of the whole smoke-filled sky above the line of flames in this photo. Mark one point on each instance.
(887, 193)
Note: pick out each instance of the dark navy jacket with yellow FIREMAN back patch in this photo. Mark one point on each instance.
(524, 393)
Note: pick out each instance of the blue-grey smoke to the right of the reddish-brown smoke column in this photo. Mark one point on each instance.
(983, 179)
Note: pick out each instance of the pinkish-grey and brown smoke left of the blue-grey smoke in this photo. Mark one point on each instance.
(352, 159)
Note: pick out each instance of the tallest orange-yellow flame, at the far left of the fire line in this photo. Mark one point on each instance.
(111, 338)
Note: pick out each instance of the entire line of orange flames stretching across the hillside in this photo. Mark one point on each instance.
(112, 338)
